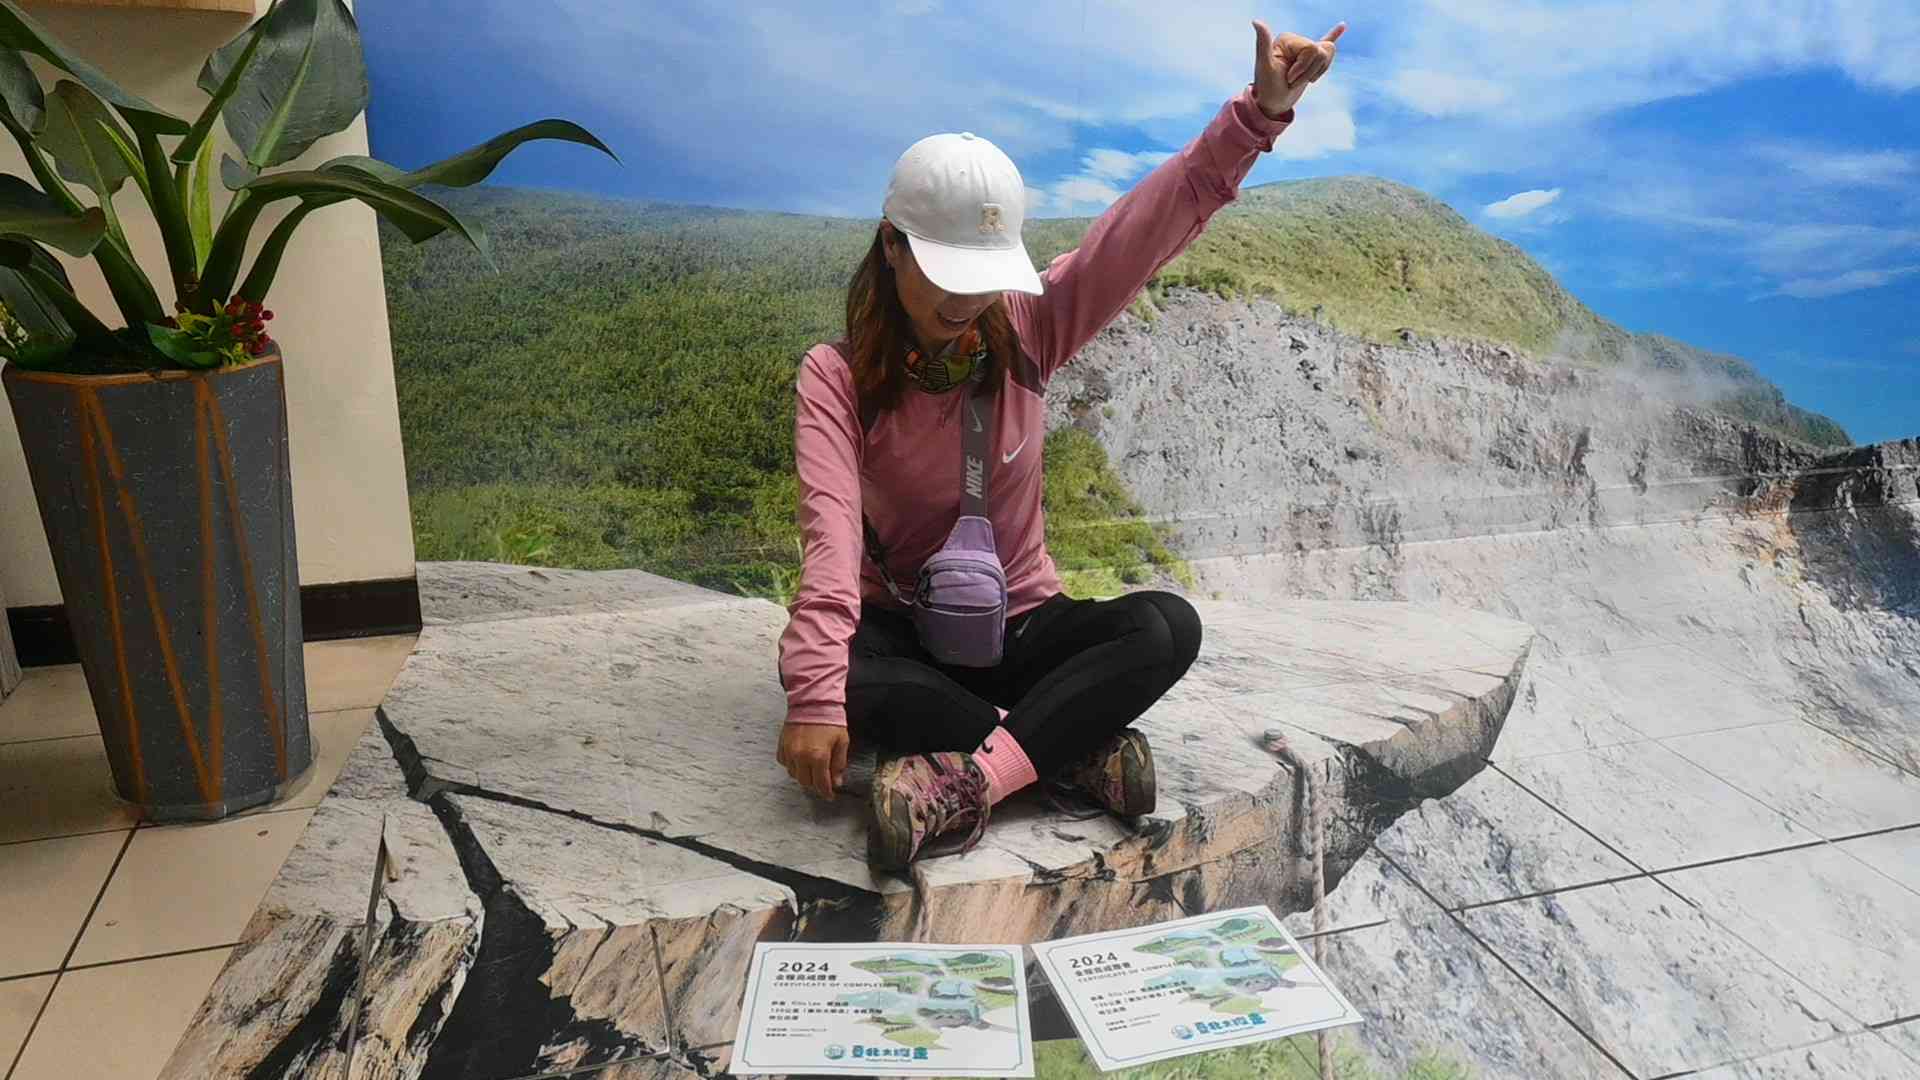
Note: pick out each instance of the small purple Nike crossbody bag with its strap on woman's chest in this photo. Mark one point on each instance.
(961, 597)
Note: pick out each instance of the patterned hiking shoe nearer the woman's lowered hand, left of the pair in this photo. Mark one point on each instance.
(924, 797)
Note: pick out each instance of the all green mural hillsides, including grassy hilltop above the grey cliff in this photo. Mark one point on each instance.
(619, 393)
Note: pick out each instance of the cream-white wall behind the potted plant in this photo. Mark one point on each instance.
(350, 495)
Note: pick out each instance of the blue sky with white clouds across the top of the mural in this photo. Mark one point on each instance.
(802, 107)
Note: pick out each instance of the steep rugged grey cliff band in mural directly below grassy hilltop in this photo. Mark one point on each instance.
(1264, 433)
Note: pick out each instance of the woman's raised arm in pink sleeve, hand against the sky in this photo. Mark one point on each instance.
(1164, 212)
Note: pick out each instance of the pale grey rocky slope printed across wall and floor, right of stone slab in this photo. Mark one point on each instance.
(1727, 674)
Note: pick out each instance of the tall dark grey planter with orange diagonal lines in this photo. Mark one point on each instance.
(170, 512)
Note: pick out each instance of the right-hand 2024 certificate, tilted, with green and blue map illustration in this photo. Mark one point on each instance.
(1188, 987)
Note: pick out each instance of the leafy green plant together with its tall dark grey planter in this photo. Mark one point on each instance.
(158, 447)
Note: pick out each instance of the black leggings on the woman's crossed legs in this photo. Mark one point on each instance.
(1074, 674)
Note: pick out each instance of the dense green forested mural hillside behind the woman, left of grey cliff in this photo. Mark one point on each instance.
(619, 395)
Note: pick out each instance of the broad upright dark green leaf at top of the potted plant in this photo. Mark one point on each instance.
(306, 82)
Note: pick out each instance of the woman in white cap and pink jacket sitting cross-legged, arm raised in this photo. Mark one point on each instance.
(930, 620)
